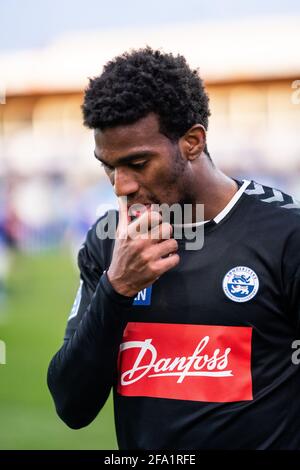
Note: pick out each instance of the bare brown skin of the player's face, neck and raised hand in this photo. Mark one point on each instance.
(148, 168)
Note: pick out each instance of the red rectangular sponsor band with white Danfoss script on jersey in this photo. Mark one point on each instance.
(186, 362)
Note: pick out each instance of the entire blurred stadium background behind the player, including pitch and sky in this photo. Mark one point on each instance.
(52, 189)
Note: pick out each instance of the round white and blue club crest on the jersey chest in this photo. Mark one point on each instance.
(240, 284)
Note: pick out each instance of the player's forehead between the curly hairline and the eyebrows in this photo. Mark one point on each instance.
(141, 135)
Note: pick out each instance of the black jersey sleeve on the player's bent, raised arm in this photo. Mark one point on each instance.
(82, 372)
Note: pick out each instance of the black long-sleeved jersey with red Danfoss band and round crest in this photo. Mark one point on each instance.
(202, 359)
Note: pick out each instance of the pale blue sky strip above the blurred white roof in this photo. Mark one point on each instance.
(33, 23)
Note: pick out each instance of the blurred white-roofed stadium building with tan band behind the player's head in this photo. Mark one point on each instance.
(251, 69)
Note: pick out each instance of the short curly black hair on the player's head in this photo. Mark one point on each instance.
(142, 81)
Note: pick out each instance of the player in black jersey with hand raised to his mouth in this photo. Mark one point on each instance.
(197, 345)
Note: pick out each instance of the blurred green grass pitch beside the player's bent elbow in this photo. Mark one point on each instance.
(41, 293)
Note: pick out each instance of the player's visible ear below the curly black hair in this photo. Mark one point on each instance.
(192, 144)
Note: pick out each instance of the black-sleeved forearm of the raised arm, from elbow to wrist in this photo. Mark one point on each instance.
(82, 372)
